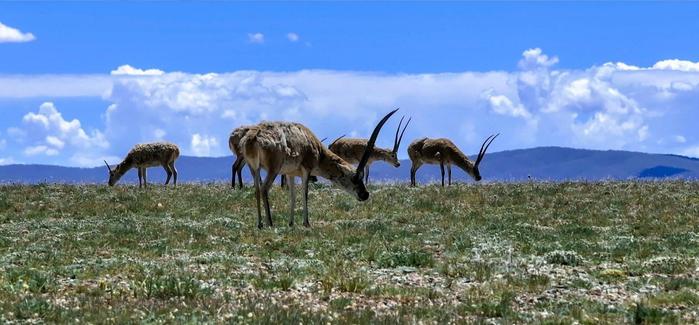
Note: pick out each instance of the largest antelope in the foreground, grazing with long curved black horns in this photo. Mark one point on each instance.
(292, 149)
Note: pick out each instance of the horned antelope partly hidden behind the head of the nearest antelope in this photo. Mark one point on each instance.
(352, 149)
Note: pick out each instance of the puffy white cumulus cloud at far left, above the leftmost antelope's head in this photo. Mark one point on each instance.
(47, 133)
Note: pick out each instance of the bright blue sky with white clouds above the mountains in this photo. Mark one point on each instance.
(84, 81)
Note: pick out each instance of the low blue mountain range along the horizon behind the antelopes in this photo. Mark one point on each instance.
(544, 163)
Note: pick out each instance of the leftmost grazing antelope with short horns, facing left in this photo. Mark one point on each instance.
(146, 155)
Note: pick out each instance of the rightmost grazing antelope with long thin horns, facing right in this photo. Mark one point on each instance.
(444, 152)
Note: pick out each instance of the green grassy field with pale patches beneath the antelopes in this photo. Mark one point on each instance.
(504, 253)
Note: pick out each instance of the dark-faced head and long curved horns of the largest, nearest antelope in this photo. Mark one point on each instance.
(352, 180)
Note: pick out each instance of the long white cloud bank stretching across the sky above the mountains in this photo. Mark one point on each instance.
(611, 106)
